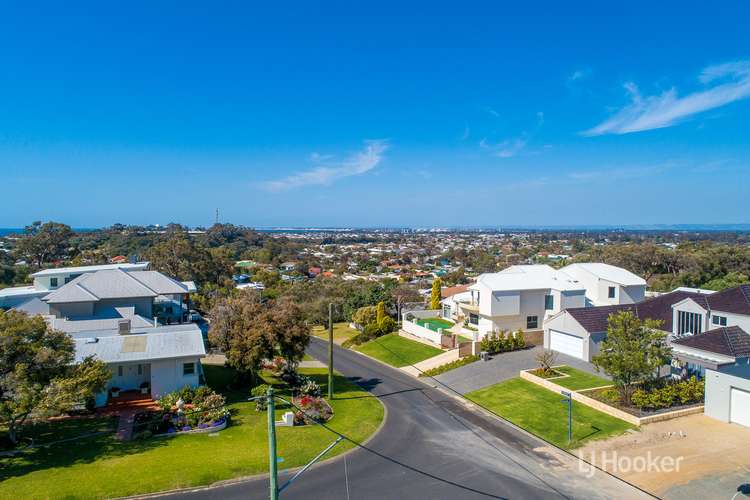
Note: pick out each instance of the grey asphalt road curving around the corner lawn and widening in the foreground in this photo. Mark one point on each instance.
(430, 447)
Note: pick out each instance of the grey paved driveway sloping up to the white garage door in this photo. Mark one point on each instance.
(502, 367)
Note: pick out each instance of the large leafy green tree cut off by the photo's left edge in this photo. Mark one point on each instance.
(38, 376)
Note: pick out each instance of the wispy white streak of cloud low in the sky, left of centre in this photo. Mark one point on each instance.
(356, 164)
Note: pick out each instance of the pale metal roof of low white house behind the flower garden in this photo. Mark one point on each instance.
(141, 347)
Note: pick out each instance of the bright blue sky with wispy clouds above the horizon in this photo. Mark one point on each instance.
(387, 113)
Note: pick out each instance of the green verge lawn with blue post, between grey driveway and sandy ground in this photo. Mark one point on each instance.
(543, 413)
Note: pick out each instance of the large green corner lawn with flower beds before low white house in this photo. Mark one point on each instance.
(103, 467)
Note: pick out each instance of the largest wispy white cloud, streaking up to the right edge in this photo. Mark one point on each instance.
(731, 82)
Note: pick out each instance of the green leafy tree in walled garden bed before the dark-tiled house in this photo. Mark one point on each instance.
(632, 352)
